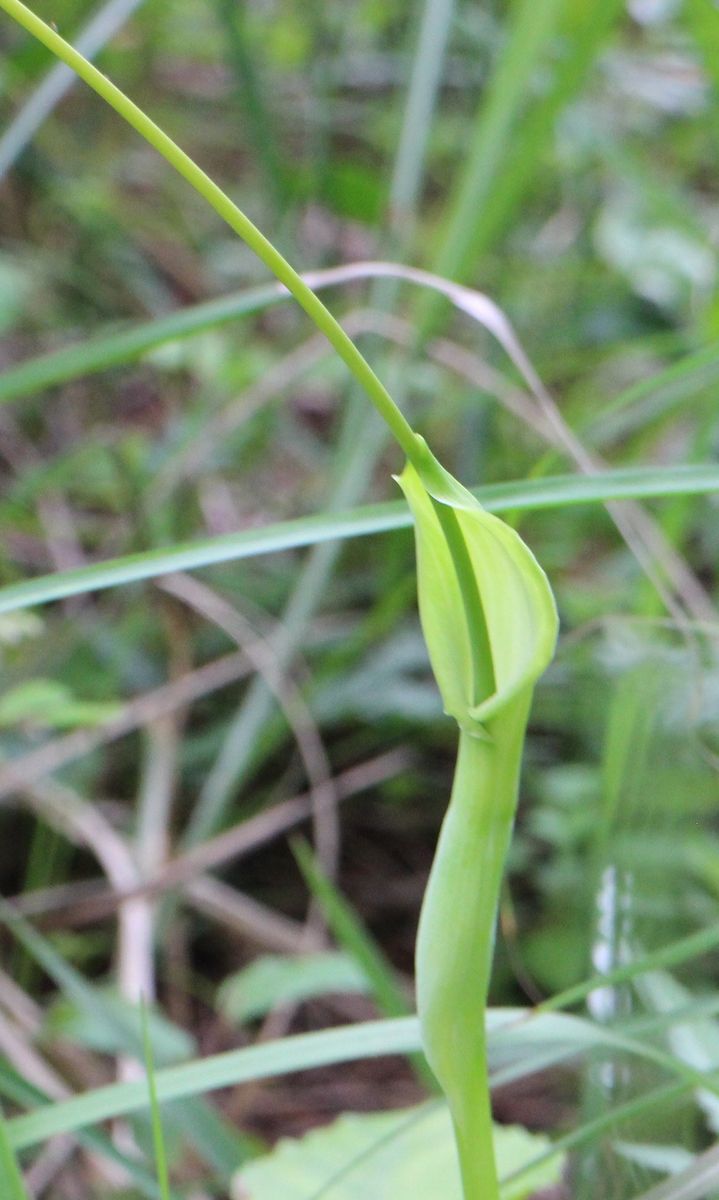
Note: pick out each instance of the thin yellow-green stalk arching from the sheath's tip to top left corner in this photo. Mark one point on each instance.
(230, 213)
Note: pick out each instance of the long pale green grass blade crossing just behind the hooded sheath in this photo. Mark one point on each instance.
(529, 495)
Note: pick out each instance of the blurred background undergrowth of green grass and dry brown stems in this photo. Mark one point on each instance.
(561, 157)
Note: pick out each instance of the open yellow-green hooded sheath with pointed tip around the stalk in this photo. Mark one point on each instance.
(487, 608)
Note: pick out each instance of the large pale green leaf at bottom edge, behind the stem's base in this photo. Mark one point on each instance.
(388, 1156)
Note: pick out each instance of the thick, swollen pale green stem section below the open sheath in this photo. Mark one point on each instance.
(457, 935)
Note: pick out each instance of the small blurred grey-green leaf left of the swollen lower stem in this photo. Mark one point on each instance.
(280, 980)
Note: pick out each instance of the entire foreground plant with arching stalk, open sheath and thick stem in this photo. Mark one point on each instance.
(490, 626)
